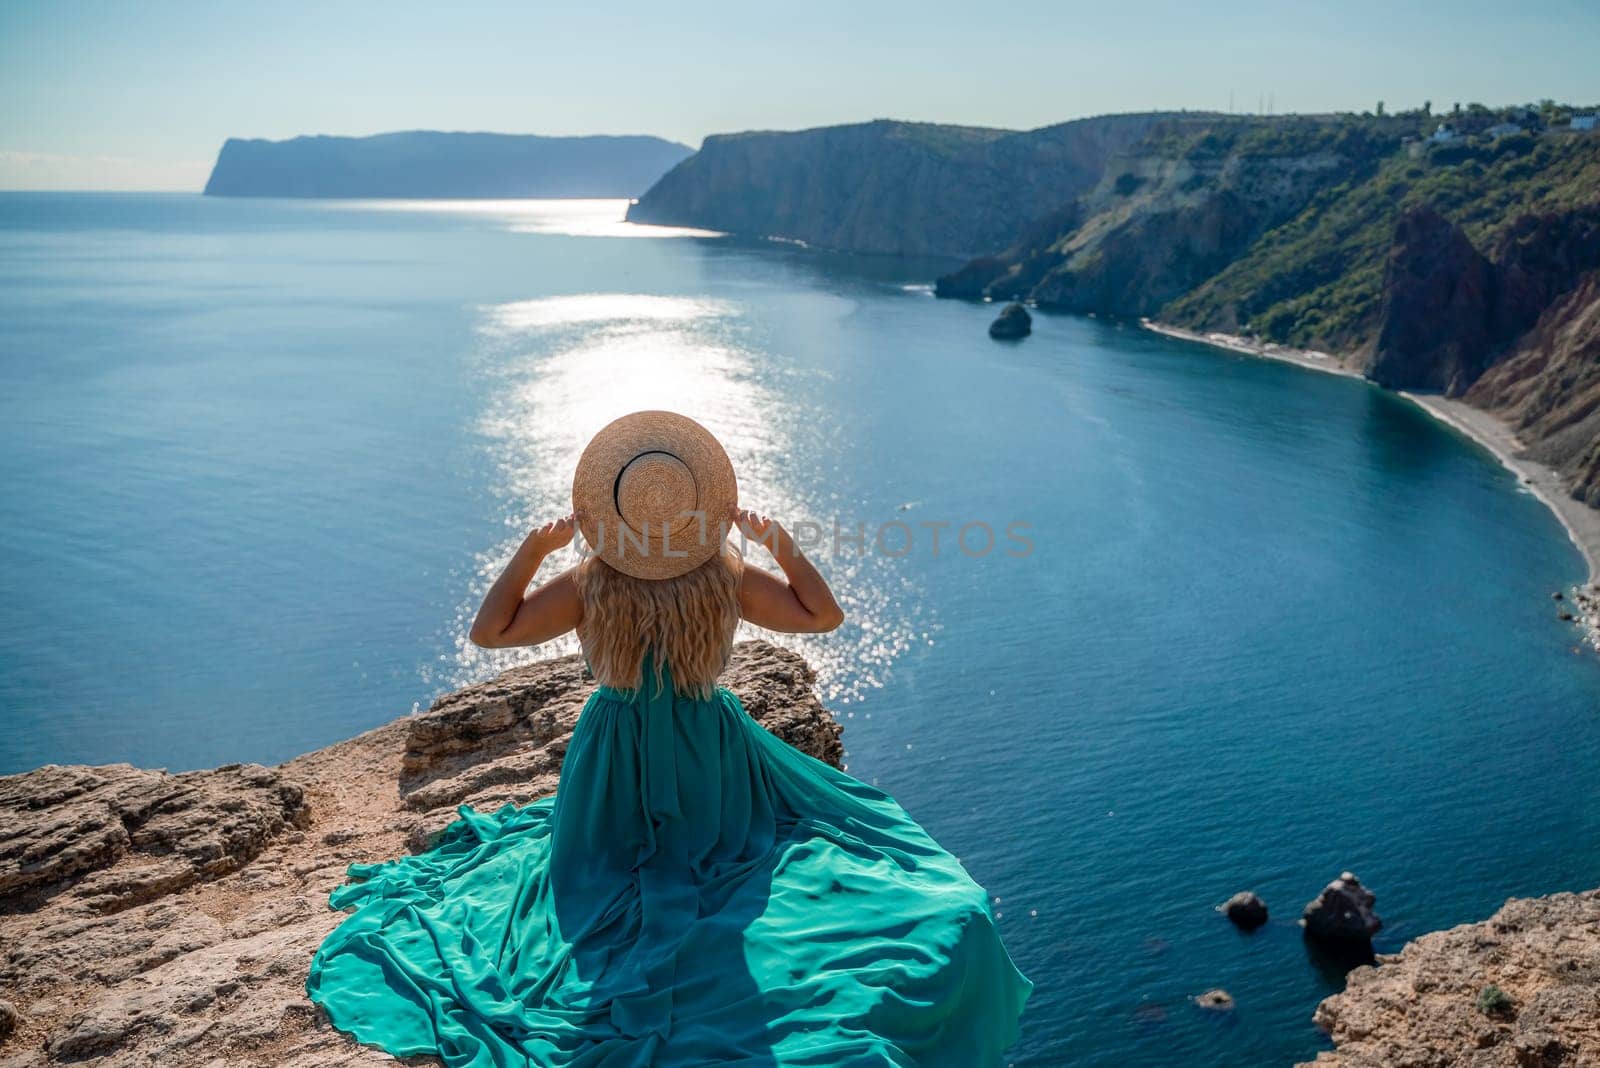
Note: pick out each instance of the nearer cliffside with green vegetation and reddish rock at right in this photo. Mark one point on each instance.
(1465, 263)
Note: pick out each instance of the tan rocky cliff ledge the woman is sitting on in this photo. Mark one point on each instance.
(169, 920)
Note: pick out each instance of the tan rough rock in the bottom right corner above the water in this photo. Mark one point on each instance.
(1521, 990)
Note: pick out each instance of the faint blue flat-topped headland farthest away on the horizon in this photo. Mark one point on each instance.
(426, 164)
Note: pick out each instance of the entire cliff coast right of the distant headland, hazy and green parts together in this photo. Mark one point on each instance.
(1441, 265)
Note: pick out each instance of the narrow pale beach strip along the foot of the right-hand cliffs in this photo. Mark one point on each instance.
(1487, 429)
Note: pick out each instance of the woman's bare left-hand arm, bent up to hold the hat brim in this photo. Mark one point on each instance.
(511, 615)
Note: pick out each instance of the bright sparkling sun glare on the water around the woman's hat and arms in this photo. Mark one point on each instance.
(562, 369)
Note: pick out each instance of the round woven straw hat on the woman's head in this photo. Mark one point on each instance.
(655, 495)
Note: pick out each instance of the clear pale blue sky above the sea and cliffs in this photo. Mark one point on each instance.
(116, 95)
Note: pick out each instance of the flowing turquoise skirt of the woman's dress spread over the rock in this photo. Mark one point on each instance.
(695, 893)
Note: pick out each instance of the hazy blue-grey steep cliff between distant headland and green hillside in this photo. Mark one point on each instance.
(913, 189)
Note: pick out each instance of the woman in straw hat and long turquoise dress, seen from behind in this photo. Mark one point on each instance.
(698, 891)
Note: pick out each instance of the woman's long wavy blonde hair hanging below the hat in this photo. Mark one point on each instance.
(686, 623)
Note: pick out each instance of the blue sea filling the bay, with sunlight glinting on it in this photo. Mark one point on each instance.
(262, 458)
